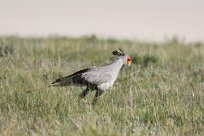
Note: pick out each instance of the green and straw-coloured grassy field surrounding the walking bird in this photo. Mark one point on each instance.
(160, 94)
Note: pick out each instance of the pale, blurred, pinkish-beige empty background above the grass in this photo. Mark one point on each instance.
(155, 20)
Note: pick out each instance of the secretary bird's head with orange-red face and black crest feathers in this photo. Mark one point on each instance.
(120, 54)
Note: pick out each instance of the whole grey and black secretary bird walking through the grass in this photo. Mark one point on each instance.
(96, 78)
